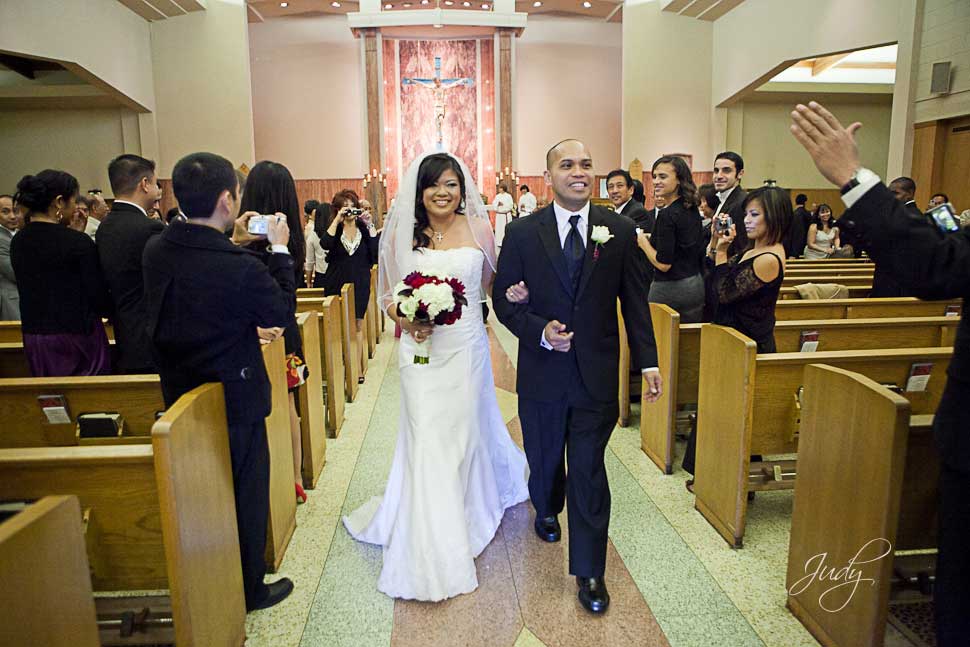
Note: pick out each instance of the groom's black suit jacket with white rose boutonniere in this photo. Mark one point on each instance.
(532, 252)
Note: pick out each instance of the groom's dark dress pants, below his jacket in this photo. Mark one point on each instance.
(576, 429)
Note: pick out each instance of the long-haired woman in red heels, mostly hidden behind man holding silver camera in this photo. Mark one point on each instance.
(270, 190)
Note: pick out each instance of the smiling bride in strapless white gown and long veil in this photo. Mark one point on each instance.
(455, 468)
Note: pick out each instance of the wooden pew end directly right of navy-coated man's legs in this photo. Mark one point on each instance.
(282, 495)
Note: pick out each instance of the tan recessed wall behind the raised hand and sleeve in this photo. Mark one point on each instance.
(769, 150)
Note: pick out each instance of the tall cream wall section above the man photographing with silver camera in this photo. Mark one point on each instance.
(202, 85)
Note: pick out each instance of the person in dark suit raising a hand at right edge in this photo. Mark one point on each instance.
(931, 266)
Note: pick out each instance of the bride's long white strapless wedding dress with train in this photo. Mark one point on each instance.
(455, 468)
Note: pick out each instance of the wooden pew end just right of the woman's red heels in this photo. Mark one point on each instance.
(313, 416)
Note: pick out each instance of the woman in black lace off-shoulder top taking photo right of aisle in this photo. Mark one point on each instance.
(744, 289)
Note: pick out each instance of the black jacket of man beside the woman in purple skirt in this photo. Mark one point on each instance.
(121, 240)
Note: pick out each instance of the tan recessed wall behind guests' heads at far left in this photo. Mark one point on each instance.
(81, 142)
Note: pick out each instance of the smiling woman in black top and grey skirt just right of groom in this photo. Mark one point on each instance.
(675, 247)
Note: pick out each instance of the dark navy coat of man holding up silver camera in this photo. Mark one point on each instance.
(204, 298)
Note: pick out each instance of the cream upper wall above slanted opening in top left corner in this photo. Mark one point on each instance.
(104, 38)
